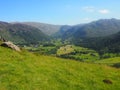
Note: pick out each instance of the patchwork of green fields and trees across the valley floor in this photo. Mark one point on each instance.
(67, 51)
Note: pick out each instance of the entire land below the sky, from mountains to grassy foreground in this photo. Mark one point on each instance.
(78, 57)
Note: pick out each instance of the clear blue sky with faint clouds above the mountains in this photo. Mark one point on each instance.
(59, 12)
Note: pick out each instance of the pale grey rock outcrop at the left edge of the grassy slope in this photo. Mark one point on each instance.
(11, 45)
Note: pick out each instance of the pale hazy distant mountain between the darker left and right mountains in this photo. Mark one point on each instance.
(48, 29)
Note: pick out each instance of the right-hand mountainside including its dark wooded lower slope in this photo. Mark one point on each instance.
(102, 35)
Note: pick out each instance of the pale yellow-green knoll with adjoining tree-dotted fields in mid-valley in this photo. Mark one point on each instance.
(77, 53)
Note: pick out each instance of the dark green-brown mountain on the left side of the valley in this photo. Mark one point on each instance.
(21, 33)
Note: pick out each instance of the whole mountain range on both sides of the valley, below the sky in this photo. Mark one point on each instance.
(82, 34)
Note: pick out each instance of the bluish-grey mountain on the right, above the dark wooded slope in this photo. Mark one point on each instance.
(100, 28)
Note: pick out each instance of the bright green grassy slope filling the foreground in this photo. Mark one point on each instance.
(25, 71)
